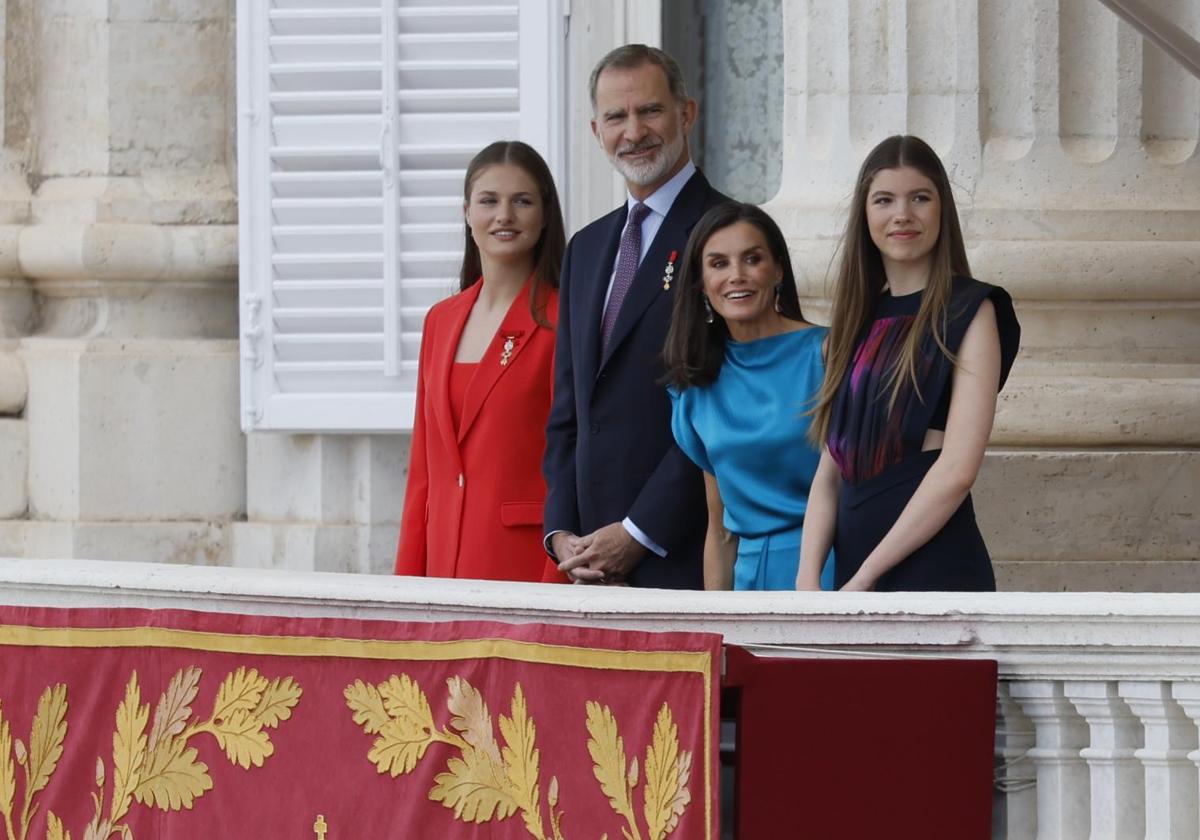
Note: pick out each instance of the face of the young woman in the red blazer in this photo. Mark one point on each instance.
(506, 213)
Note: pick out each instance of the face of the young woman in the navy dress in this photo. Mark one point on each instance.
(904, 217)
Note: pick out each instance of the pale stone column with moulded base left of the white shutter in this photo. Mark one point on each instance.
(130, 249)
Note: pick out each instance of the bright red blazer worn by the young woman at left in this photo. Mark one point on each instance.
(475, 501)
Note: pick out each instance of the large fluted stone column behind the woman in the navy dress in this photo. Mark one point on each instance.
(1073, 149)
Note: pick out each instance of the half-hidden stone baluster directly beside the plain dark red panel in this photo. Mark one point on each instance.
(1016, 812)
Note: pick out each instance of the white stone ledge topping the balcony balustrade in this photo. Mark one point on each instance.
(1033, 635)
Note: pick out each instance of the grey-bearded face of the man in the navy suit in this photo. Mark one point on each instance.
(640, 125)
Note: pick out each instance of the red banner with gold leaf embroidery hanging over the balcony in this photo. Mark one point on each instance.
(172, 725)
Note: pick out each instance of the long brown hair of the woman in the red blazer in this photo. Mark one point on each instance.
(548, 254)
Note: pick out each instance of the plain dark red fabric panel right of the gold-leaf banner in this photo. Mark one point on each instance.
(863, 749)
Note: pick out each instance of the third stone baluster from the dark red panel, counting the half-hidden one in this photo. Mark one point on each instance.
(1118, 779)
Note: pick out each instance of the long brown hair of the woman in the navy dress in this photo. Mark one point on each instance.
(861, 278)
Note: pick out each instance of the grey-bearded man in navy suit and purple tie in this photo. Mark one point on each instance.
(625, 505)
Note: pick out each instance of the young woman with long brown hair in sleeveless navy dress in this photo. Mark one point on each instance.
(919, 352)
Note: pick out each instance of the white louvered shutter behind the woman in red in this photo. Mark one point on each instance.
(358, 121)
